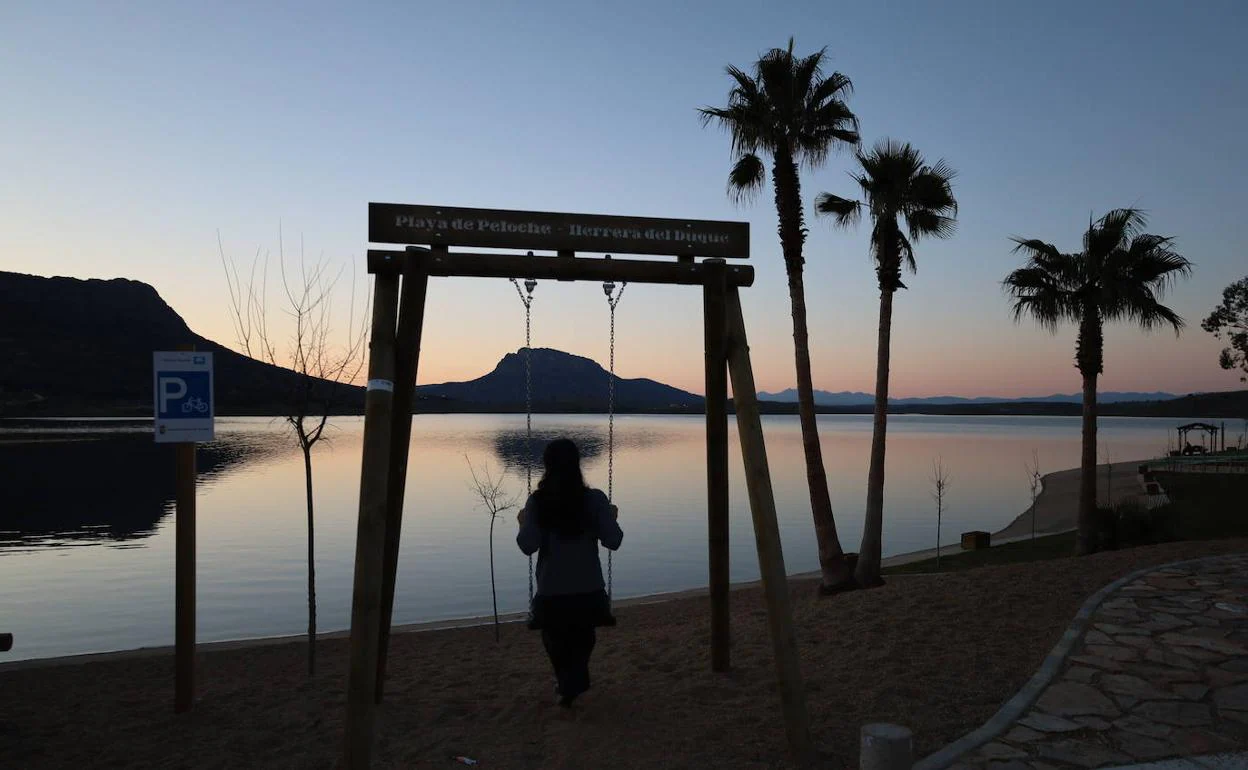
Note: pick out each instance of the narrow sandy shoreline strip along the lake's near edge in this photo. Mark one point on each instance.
(1056, 509)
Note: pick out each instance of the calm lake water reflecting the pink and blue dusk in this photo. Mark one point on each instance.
(87, 531)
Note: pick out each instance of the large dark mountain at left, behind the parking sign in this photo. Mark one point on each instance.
(72, 348)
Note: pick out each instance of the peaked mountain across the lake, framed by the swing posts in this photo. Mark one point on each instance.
(562, 383)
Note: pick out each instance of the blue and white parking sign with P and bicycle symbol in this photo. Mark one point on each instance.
(183, 390)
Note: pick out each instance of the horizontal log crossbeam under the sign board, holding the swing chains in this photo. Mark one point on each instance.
(562, 269)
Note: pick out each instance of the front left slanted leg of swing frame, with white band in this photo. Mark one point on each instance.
(371, 534)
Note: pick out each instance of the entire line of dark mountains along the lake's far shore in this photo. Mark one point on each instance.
(72, 348)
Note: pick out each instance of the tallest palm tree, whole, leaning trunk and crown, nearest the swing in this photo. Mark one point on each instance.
(791, 112)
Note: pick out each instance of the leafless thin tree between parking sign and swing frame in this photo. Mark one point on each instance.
(321, 358)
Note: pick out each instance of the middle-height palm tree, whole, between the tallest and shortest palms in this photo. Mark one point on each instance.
(897, 184)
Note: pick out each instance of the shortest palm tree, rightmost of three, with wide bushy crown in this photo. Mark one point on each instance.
(1120, 275)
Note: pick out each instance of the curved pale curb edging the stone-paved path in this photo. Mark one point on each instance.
(1023, 701)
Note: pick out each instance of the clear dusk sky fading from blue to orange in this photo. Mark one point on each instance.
(134, 135)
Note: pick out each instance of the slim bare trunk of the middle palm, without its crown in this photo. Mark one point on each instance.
(868, 572)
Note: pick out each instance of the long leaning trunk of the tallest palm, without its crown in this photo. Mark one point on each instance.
(834, 572)
